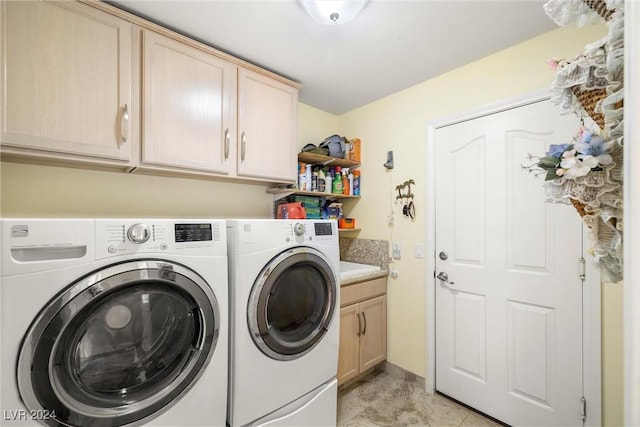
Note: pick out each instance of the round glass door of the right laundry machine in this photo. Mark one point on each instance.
(292, 303)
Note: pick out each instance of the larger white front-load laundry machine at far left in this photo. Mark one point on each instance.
(113, 322)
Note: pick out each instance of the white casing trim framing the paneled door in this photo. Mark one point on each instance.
(592, 299)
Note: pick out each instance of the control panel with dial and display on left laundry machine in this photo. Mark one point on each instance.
(122, 237)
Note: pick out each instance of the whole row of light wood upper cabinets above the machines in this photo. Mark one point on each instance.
(90, 84)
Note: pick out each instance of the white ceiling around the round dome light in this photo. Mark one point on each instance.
(390, 46)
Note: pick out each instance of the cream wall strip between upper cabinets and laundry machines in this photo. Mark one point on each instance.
(47, 191)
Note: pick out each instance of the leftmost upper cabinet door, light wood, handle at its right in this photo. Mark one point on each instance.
(67, 73)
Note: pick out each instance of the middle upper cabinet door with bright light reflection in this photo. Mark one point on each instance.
(188, 107)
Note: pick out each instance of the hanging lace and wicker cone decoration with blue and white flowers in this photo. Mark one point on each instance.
(587, 171)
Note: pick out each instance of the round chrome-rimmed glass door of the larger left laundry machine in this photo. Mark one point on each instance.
(120, 345)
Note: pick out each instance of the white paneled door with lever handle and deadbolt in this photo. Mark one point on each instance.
(509, 318)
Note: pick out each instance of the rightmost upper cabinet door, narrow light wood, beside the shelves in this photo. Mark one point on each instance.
(266, 127)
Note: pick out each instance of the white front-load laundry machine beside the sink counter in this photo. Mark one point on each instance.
(284, 303)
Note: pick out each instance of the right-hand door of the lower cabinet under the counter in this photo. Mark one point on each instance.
(373, 339)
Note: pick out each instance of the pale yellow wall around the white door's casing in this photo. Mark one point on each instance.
(399, 123)
